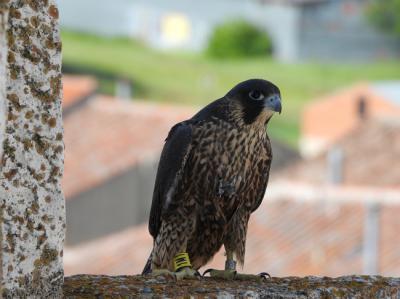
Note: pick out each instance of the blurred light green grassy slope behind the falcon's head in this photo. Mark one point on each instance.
(193, 79)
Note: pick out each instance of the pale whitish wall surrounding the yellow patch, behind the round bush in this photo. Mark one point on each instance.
(143, 20)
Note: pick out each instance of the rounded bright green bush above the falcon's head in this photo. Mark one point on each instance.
(238, 39)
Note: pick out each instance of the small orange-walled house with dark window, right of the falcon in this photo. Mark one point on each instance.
(330, 118)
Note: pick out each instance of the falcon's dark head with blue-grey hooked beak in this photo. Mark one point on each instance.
(257, 100)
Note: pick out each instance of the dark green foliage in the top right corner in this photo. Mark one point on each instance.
(385, 14)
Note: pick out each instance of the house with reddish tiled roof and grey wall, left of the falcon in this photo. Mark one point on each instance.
(111, 157)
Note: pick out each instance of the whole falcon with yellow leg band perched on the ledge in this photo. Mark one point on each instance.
(212, 174)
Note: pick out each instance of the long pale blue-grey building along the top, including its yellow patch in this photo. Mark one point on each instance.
(299, 29)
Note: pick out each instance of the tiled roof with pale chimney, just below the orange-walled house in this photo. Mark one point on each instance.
(367, 156)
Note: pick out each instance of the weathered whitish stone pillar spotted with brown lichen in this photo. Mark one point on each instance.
(32, 218)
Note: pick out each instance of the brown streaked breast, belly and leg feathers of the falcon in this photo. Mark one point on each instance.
(223, 181)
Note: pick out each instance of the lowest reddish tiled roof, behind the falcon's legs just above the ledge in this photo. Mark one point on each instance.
(296, 231)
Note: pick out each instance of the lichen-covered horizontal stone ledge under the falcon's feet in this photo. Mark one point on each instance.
(99, 286)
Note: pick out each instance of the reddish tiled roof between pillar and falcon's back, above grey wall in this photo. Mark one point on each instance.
(107, 136)
